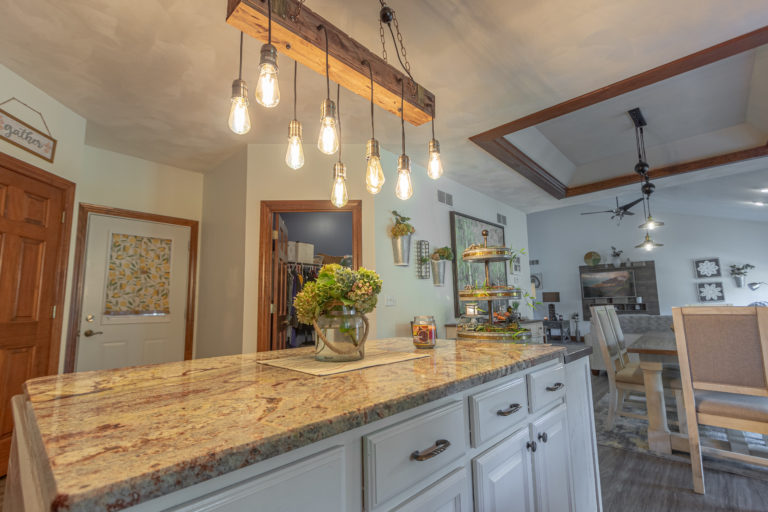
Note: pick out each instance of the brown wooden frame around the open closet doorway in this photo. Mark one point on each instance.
(268, 209)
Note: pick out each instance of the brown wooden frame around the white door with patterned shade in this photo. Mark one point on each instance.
(78, 279)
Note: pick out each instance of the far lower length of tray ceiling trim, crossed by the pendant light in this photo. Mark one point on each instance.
(671, 170)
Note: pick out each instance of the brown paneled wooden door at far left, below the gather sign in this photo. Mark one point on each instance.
(33, 240)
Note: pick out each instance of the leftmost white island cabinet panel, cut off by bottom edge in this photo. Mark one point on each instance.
(315, 483)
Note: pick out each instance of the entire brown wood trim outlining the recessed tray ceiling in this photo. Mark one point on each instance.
(495, 143)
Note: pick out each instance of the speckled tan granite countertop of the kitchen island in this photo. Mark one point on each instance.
(116, 438)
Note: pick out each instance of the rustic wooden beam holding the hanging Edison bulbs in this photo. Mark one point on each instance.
(303, 42)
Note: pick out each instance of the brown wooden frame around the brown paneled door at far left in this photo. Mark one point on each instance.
(62, 260)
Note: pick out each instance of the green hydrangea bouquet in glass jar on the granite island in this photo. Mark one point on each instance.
(336, 305)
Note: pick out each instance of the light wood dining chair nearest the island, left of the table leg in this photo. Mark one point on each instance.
(625, 378)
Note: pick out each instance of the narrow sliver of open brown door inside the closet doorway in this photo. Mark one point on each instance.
(279, 300)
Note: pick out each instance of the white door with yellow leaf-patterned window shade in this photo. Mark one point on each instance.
(135, 293)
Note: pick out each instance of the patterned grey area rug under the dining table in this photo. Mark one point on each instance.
(632, 434)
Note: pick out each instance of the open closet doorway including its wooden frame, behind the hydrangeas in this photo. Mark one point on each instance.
(280, 262)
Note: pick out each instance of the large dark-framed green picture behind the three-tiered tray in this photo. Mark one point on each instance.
(465, 231)
